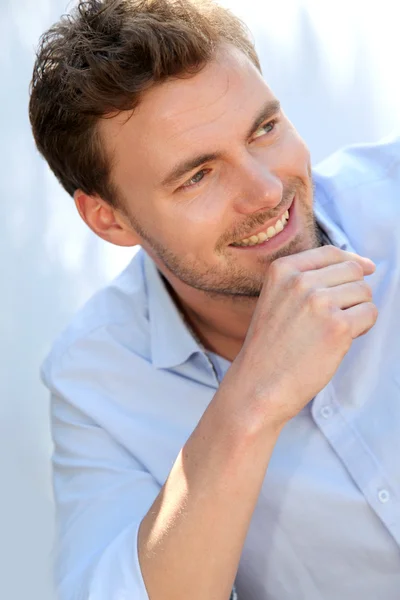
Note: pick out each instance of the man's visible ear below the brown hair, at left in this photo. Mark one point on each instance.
(105, 220)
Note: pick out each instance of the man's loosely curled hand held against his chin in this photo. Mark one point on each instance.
(313, 304)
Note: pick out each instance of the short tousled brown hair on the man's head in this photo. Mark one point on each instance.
(100, 59)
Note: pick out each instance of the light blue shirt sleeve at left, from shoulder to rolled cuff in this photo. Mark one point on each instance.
(102, 485)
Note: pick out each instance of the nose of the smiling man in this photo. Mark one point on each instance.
(258, 188)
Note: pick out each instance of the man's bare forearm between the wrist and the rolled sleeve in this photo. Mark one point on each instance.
(191, 539)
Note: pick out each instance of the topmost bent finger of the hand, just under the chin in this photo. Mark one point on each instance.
(318, 258)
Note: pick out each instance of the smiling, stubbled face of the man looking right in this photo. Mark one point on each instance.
(206, 163)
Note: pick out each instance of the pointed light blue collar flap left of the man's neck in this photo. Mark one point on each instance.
(171, 342)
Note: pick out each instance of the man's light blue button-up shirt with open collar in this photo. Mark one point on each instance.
(129, 384)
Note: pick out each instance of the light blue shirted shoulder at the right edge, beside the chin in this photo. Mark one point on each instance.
(358, 189)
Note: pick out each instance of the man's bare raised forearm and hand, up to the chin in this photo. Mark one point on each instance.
(312, 306)
